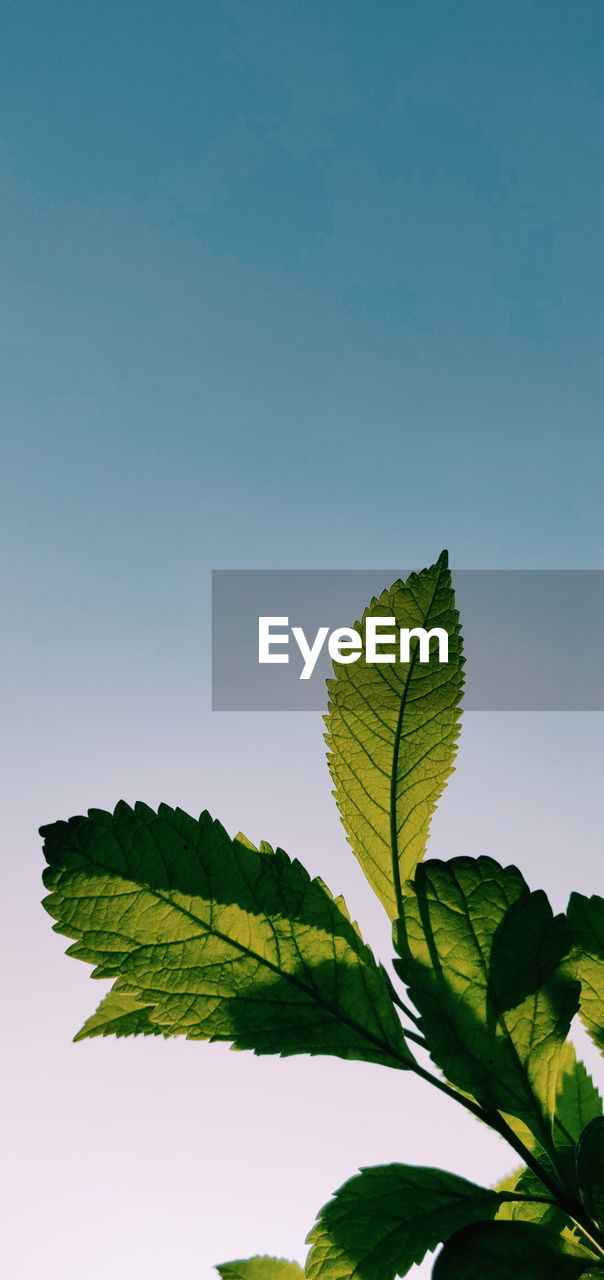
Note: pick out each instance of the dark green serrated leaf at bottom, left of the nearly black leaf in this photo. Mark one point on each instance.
(382, 1222)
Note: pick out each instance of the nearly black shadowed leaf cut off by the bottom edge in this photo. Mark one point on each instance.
(507, 1251)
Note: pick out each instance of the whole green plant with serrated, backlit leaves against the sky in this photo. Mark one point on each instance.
(212, 939)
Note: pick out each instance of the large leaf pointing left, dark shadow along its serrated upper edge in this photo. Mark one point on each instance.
(222, 940)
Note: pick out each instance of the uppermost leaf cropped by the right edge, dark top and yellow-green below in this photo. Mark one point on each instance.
(585, 918)
